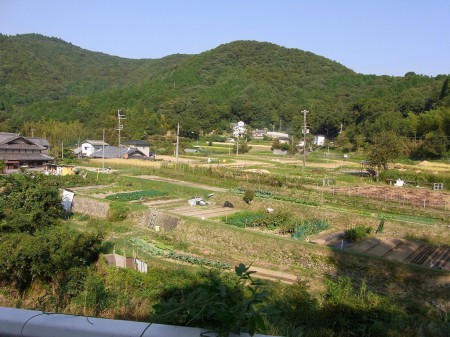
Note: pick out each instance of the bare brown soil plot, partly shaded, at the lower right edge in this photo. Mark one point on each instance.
(406, 251)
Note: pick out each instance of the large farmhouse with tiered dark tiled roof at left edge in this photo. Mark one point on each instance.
(17, 150)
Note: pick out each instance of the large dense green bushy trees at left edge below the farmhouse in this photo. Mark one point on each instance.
(33, 245)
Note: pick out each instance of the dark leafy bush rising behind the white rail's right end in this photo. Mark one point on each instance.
(221, 303)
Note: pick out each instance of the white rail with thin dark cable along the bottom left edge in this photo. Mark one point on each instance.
(31, 323)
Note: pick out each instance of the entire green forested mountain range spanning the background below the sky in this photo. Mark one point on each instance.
(263, 84)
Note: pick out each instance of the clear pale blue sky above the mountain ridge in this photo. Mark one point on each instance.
(383, 37)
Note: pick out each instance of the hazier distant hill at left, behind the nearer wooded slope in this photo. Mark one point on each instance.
(36, 68)
